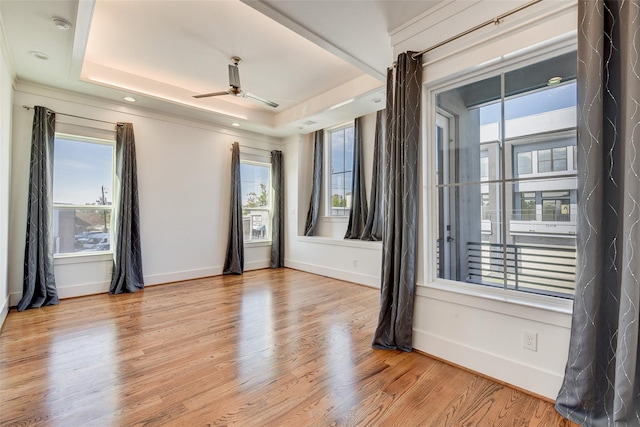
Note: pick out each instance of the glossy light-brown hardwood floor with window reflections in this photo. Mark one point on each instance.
(269, 348)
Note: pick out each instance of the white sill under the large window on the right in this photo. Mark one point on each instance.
(508, 302)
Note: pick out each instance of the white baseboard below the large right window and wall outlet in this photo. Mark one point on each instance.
(535, 380)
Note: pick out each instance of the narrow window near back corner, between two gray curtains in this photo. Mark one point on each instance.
(255, 186)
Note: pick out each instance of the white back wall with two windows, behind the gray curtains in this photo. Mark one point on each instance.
(184, 179)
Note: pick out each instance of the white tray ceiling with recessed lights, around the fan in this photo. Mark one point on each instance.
(308, 56)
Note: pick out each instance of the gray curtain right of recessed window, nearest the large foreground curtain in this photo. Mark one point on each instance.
(373, 227)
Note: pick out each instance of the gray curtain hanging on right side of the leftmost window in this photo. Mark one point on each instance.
(127, 266)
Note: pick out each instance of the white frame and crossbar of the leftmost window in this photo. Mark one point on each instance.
(108, 208)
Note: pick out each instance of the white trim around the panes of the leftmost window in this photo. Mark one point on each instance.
(81, 257)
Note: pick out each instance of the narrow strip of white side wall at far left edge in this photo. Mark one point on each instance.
(6, 93)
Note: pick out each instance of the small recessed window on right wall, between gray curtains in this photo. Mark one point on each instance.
(340, 167)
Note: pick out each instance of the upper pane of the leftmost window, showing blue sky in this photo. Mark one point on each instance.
(82, 172)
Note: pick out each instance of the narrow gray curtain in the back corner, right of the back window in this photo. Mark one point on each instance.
(277, 222)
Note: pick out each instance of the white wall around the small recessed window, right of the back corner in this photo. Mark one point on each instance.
(326, 253)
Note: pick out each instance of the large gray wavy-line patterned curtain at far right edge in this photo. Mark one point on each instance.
(602, 377)
